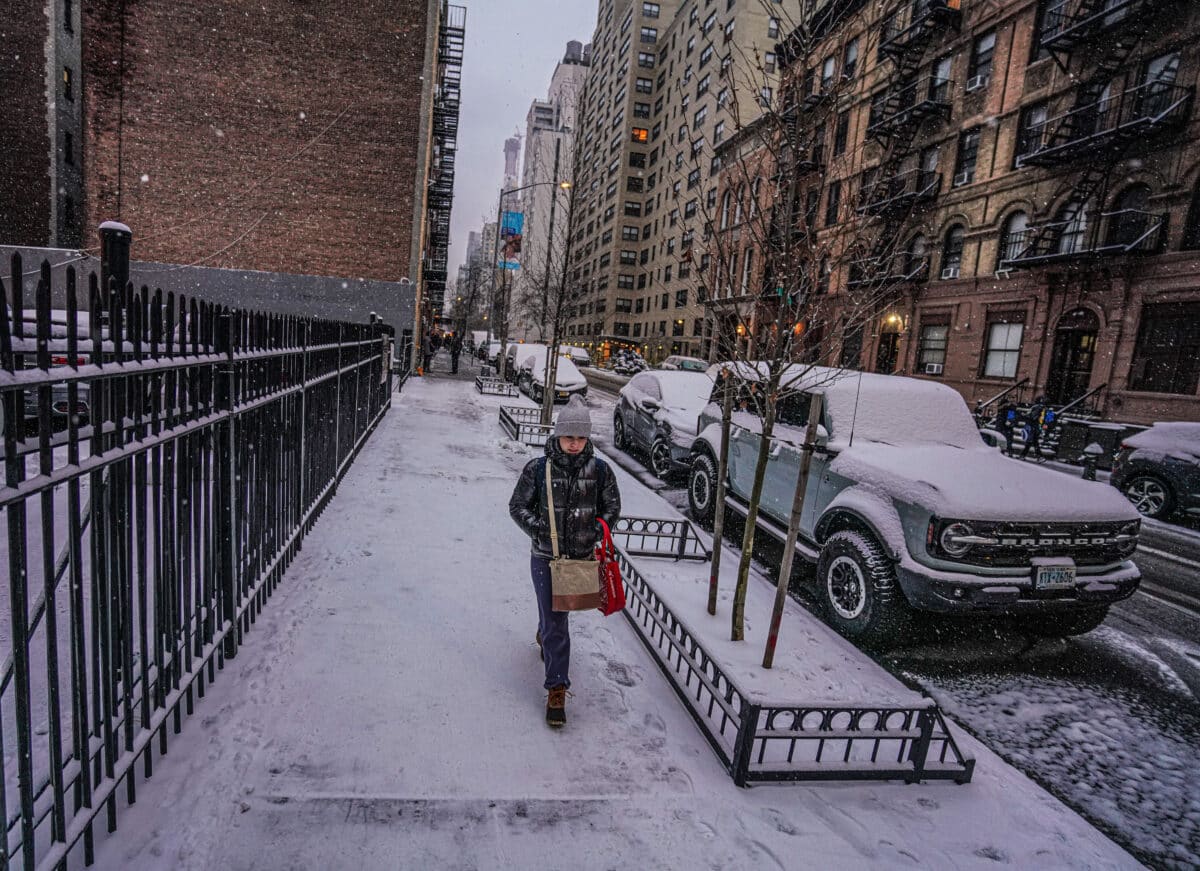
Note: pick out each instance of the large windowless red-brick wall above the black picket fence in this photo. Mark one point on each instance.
(275, 135)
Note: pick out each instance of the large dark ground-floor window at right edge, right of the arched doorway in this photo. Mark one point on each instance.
(1167, 358)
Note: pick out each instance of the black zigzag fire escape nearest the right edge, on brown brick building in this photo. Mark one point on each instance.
(1100, 130)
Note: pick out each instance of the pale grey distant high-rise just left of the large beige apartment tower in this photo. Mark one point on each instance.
(549, 155)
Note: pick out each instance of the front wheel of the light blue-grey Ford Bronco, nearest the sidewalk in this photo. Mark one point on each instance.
(860, 590)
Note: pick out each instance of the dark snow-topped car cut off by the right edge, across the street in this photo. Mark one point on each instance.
(1159, 470)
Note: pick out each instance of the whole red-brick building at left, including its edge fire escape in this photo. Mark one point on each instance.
(207, 127)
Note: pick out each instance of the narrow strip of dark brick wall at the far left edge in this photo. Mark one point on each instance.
(25, 143)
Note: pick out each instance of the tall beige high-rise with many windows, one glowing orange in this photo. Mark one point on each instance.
(669, 83)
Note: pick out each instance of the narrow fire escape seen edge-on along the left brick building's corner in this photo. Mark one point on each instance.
(440, 197)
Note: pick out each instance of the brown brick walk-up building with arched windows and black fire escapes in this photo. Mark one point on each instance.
(1045, 157)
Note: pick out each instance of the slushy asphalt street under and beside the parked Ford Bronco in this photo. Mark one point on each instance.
(1107, 722)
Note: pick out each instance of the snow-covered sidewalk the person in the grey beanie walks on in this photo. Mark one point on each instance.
(386, 712)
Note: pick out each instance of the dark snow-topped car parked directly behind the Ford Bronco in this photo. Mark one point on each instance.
(657, 413)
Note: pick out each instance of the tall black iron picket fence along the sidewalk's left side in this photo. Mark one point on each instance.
(164, 460)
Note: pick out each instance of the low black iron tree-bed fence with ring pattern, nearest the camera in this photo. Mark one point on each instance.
(764, 742)
